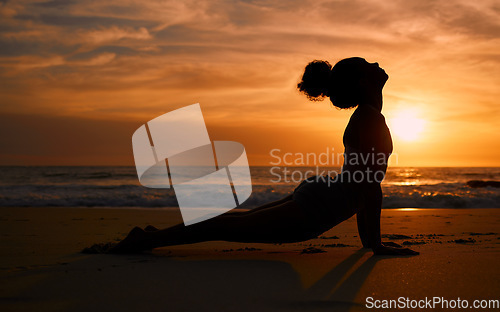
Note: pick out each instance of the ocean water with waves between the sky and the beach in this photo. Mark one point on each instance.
(119, 187)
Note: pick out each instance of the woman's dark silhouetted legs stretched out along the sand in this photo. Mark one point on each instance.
(282, 223)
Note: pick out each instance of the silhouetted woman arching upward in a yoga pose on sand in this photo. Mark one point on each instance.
(318, 203)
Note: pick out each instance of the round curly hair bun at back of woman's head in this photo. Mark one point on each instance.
(315, 81)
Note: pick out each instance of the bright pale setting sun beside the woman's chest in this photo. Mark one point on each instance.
(406, 125)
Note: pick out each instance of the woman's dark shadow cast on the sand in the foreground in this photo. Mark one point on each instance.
(145, 282)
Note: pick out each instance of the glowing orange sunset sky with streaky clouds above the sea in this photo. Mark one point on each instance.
(78, 77)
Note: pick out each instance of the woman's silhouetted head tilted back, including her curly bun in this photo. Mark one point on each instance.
(348, 83)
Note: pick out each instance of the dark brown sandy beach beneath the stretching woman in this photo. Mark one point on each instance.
(43, 269)
